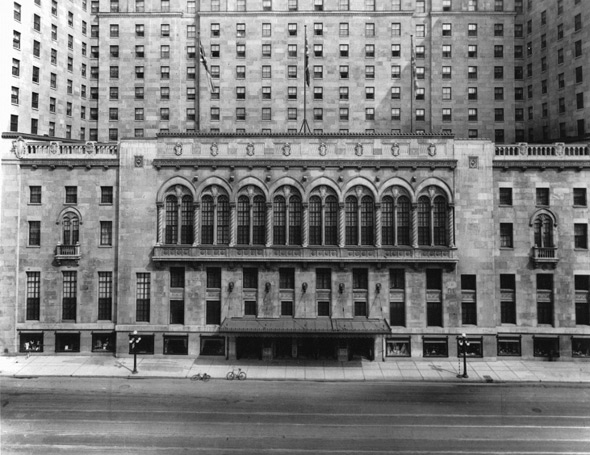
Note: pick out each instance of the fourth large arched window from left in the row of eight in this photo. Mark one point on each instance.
(287, 214)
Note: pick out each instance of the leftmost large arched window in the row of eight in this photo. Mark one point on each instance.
(179, 218)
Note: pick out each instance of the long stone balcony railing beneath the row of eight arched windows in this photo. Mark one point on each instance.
(289, 254)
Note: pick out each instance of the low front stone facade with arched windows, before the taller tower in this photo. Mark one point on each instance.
(189, 274)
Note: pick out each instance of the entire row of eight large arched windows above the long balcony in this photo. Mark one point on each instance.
(287, 220)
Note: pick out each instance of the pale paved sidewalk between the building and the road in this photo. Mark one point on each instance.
(404, 370)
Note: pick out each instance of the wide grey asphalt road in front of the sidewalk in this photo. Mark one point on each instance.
(119, 416)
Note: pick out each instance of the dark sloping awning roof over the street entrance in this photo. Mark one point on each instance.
(295, 326)
